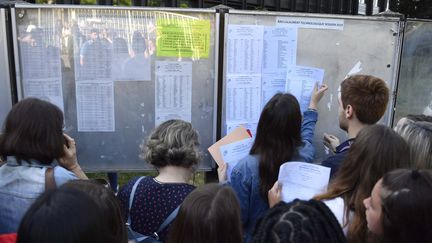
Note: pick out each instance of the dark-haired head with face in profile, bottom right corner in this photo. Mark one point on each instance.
(399, 210)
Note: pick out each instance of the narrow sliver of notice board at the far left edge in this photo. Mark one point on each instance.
(5, 85)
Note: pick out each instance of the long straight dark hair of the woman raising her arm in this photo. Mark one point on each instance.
(278, 136)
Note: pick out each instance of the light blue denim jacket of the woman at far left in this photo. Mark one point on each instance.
(20, 185)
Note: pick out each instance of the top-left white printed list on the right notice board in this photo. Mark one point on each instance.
(244, 49)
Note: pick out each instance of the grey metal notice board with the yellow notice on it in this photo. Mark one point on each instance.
(111, 96)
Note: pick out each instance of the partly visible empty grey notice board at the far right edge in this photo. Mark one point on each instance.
(414, 93)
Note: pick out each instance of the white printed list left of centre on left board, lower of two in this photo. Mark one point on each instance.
(95, 106)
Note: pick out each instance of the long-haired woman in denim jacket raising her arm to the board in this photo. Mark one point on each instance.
(280, 137)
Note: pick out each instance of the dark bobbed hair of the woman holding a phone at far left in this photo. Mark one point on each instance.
(33, 129)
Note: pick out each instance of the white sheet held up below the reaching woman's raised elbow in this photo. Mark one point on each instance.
(302, 180)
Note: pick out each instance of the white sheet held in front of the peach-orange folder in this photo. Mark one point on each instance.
(232, 153)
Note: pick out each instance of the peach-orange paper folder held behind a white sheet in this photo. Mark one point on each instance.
(237, 134)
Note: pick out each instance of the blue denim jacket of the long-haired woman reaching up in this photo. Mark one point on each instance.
(245, 177)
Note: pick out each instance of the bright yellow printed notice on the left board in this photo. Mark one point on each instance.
(183, 38)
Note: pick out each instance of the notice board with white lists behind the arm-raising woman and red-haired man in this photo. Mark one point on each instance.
(339, 45)
